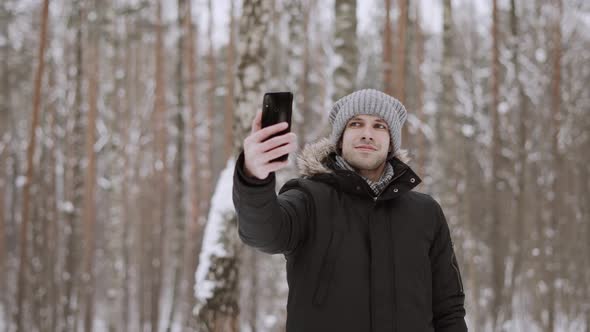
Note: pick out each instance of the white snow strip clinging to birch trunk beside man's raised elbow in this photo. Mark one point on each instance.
(221, 206)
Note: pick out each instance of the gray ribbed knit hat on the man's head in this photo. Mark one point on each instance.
(370, 102)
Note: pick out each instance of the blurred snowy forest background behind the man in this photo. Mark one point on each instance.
(120, 122)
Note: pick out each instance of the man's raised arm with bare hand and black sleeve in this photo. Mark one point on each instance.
(267, 222)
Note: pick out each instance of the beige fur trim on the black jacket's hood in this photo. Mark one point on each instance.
(312, 160)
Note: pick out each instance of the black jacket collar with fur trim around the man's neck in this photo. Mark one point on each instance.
(316, 162)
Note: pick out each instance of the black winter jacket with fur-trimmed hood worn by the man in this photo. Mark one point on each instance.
(355, 263)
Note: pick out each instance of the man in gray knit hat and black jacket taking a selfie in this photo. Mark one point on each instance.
(364, 252)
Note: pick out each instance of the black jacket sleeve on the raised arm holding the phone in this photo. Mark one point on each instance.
(273, 224)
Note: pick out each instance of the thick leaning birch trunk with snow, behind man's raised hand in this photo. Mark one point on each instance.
(218, 309)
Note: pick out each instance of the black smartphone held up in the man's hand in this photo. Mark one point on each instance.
(277, 107)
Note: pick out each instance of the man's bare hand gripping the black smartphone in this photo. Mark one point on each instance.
(258, 152)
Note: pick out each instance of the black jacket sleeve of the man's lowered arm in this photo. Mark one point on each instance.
(447, 287)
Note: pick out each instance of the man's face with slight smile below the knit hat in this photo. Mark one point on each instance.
(365, 142)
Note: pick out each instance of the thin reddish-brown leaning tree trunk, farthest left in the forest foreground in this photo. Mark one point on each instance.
(22, 269)
